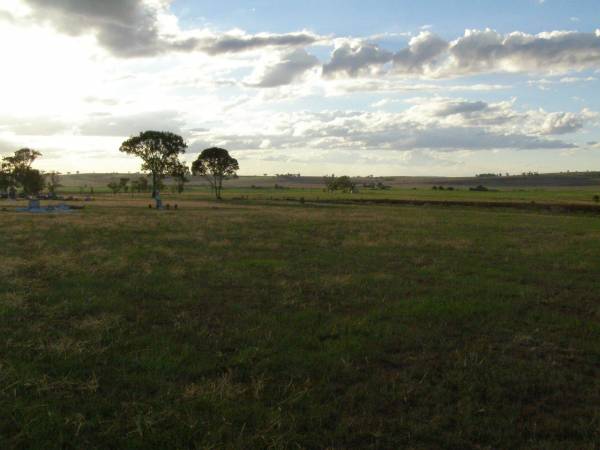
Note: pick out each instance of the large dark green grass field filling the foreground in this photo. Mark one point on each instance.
(260, 324)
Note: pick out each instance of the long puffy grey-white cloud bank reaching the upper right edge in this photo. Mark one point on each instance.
(477, 52)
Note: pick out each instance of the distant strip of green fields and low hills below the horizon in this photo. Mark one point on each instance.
(578, 189)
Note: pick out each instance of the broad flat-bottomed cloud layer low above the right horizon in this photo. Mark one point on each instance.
(439, 124)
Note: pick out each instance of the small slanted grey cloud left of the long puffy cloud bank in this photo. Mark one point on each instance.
(289, 68)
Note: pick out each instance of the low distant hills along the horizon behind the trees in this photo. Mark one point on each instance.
(569, 179)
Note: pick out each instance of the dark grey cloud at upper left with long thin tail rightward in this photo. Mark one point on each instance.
(142, 28)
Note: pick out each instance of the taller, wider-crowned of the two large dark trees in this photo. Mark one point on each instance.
(159, 151)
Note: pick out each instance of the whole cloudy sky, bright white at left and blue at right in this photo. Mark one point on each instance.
(312, 87)
